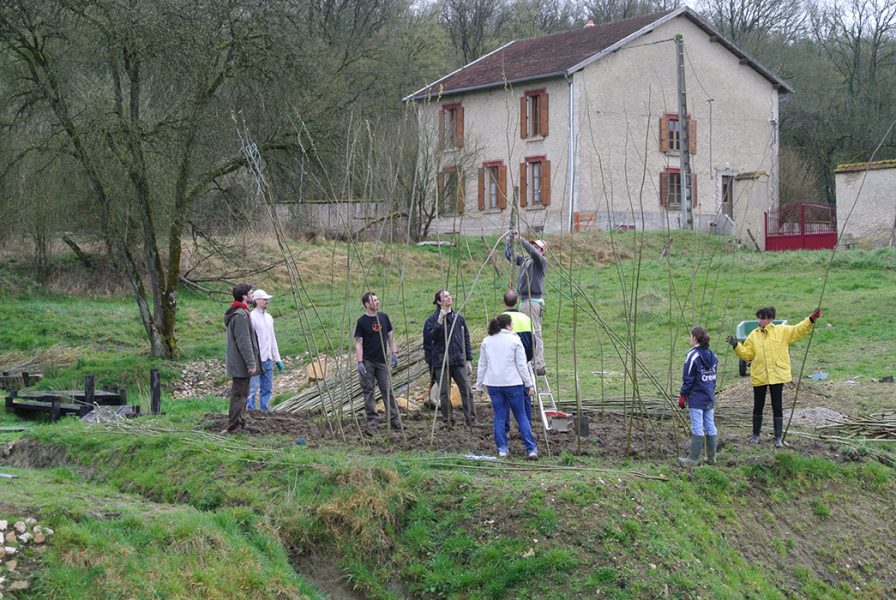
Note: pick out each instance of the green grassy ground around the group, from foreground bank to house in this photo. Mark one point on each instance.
(158, 508)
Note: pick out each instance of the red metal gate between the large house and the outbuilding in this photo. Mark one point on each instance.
(801, 227)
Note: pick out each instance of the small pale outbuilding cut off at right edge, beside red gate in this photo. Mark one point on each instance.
(866, 202)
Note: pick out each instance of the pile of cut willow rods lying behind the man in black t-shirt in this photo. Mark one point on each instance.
(341, 393)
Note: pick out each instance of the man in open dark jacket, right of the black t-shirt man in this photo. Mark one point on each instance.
(447, 350)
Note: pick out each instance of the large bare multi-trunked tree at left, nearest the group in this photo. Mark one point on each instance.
(132, 92)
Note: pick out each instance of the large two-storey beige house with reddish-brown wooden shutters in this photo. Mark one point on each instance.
(581, 129)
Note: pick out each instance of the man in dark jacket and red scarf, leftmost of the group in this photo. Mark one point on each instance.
(242, 355)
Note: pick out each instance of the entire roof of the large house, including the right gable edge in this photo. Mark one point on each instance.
(555, 55)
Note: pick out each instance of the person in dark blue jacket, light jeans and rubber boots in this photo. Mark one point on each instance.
(698, 393)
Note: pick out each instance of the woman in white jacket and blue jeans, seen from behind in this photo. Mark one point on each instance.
(503, 370)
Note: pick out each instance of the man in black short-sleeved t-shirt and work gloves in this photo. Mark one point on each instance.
(373, 334)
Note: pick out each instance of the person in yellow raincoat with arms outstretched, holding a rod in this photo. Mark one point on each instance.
(768, 347)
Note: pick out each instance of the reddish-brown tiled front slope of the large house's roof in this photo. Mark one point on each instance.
(536, 57)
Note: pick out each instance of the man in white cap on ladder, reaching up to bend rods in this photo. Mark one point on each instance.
(530, 289)
